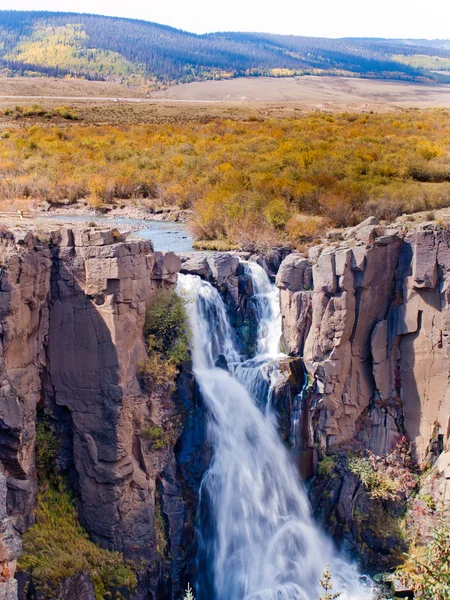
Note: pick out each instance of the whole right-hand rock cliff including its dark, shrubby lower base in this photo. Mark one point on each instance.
(370, 318)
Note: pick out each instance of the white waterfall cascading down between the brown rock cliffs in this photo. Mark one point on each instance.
(260, 539)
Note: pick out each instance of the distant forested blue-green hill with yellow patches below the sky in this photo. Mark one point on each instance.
(149, 55)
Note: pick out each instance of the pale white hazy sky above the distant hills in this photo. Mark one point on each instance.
(330, 18)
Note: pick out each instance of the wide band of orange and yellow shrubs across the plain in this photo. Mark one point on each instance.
(244, 180)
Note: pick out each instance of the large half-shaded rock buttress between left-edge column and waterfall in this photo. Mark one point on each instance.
(100, 293)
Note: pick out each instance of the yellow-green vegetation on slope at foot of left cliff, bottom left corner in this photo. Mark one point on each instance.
(57, 547)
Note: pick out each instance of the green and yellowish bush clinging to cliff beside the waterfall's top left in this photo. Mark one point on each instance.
(166, 335)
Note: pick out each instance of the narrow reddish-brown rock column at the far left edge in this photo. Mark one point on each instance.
(24, 292)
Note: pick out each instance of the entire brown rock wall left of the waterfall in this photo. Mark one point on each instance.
(72, 311)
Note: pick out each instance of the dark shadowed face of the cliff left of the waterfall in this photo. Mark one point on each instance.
(82, 375)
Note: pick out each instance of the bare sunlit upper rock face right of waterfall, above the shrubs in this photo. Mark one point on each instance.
(371, 319)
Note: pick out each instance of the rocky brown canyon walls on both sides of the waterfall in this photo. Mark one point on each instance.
(365, 322)
